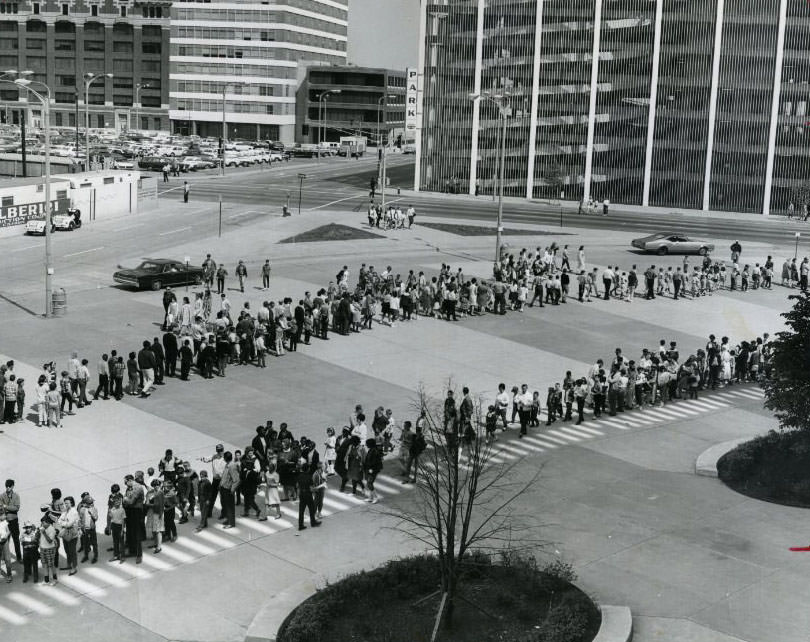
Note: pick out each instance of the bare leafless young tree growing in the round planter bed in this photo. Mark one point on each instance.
(466, 493)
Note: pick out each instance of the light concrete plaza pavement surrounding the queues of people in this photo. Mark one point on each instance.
(619, 497)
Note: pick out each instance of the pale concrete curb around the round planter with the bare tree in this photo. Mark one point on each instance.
(616, 626)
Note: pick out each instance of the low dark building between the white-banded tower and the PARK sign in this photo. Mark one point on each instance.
(355, 99)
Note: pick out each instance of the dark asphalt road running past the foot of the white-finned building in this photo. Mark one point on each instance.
(339, 184)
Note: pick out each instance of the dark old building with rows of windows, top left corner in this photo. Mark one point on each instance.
(62, 41)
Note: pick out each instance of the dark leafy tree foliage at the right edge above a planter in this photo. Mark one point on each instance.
(787, 391)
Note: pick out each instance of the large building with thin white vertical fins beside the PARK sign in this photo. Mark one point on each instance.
(670, 103)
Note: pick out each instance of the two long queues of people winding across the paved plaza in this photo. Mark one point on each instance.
(276, 467)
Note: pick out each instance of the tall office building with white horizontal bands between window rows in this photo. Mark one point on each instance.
(252, 51)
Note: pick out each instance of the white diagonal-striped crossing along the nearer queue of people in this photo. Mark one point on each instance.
(25, 601)
